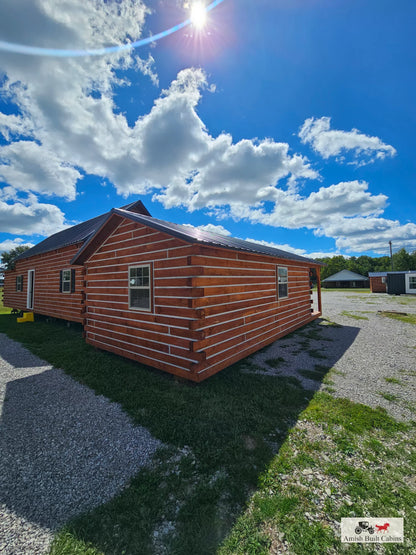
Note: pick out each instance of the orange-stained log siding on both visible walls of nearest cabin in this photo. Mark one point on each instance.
(210, 306)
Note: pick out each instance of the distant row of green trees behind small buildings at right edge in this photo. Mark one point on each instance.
(402, 260)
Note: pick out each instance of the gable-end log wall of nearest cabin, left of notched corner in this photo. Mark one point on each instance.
(161, 337)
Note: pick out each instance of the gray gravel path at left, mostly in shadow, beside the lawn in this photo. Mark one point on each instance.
(63, 450)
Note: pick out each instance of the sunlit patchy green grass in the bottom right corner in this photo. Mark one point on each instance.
(340, 439)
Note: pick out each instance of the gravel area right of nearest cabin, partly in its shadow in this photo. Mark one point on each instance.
(366, 349)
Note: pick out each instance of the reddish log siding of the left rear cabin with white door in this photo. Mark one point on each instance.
(47, 300)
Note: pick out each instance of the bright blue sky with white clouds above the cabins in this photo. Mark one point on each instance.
(285, 121)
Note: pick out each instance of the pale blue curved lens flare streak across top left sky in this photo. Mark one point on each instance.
(61, 53)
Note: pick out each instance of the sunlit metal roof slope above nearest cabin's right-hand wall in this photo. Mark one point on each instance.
(196, 235)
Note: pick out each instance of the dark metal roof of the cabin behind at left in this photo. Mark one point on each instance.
(76, 234)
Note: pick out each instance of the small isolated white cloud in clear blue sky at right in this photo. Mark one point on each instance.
(332, 142)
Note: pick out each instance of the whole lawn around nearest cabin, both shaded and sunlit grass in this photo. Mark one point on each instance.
(250, 462)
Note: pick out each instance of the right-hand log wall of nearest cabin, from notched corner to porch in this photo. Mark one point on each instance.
(238, 306)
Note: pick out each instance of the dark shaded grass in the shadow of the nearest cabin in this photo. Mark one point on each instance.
(220, 436)
